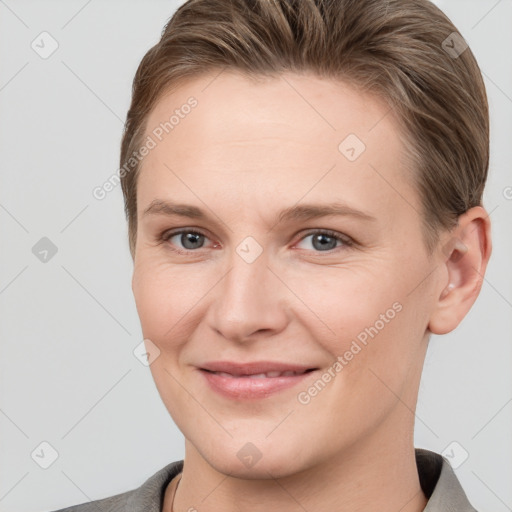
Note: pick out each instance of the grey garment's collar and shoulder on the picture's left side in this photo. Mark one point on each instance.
(148, 497)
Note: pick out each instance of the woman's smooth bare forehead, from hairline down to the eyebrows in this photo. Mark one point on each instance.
(274, 134)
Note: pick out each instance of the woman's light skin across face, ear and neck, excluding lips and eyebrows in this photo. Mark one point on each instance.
(245, 153)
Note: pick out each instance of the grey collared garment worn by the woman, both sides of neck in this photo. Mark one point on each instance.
(437, 478)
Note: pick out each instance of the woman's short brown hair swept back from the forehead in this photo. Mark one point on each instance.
(406, 51)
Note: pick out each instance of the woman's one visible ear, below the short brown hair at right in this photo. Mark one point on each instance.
(464, 254)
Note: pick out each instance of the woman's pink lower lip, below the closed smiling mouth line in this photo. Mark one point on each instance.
(249, 387)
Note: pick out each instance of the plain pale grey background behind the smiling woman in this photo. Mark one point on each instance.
(69, 325)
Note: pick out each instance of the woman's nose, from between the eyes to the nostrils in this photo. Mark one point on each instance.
(249, 302)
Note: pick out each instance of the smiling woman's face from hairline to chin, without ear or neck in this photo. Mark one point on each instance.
(245, 278)
